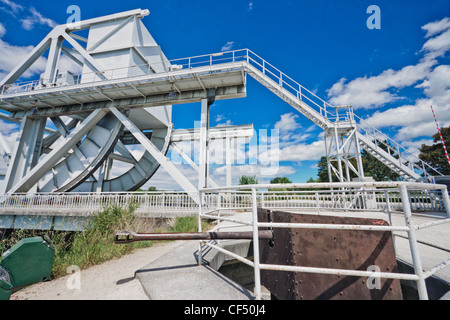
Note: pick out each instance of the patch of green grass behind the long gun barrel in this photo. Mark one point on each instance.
(95, 244)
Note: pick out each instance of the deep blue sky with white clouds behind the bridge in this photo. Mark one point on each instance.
(390, 75)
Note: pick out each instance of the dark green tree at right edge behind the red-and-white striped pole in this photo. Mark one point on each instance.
(434, 155)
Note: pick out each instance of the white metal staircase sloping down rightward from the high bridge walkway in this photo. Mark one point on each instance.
(373, 141)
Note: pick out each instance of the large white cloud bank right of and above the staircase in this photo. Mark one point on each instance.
(413, 122)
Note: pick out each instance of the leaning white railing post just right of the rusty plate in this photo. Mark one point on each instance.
(421, 286)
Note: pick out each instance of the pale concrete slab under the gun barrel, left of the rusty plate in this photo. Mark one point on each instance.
(177, 276)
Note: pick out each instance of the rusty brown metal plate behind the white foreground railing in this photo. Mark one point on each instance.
(337, 249)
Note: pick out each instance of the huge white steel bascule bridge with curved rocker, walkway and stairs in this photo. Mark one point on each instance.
(124, 95)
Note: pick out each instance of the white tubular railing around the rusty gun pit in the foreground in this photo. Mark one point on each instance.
(405, 193)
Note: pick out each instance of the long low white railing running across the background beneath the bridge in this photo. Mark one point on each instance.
(367, 199)
